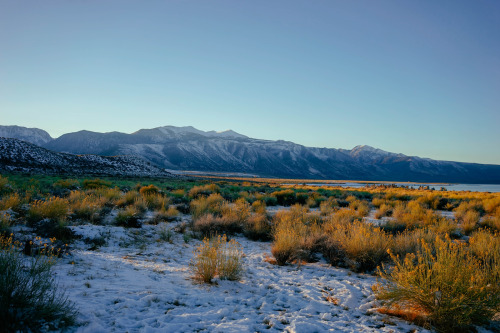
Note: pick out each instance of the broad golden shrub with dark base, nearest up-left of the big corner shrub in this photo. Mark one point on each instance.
(359, 246)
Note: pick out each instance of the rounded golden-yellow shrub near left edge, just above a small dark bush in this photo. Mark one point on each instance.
(53, 208)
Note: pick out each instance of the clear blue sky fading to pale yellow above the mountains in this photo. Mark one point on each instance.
(420, 78)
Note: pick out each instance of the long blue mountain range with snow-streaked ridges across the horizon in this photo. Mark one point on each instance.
(186, 148)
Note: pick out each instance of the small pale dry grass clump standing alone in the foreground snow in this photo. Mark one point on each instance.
(217, 257)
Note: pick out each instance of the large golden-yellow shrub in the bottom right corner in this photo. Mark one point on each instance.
(446, 284)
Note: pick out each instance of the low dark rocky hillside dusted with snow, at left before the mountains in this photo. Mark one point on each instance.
(21, 156)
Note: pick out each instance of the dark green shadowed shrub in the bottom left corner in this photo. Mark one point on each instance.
(29, 296)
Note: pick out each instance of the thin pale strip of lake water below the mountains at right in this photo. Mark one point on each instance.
(449, 187)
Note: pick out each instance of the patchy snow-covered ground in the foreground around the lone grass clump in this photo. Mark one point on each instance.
(137, 283)
